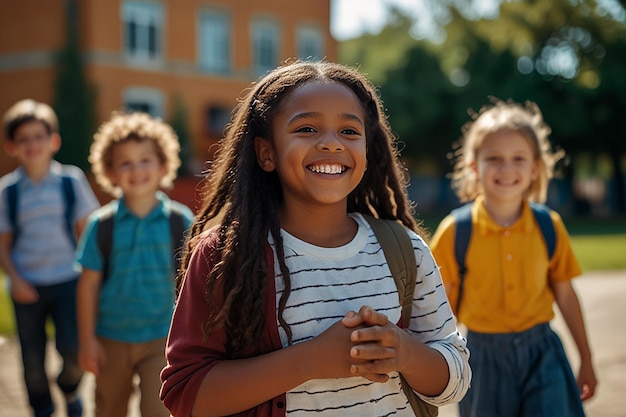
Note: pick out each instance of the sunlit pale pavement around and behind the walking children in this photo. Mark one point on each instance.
(602, 294)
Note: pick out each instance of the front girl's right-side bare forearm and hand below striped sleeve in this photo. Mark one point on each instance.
(386, 348)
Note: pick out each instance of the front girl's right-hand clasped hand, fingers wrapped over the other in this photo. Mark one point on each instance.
(377, 342)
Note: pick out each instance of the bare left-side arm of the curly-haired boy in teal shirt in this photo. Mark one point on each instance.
(90, 354)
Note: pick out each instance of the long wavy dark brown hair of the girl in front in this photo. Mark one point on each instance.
(243, 201)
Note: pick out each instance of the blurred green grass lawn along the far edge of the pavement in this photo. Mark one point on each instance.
(598, 244)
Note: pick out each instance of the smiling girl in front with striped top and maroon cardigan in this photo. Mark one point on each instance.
(287, 305)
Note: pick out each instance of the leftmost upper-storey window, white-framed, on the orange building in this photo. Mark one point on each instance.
(143, 29)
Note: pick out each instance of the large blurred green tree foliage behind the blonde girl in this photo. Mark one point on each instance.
(568, 56)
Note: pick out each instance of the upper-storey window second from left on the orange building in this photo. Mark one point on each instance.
(214, 43)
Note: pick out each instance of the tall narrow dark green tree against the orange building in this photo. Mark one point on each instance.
(74, 97)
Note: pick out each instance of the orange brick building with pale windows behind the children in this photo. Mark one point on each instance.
(149, 54)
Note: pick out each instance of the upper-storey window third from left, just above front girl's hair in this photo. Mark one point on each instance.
(265, 36)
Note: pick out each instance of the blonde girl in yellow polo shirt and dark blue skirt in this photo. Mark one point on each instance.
(510, 283)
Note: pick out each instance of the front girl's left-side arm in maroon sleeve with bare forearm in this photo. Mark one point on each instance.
(201, 380)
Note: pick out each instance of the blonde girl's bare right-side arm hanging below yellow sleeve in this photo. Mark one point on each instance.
(569, 305)
